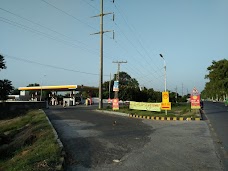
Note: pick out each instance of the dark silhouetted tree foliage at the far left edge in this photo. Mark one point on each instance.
(5, 85)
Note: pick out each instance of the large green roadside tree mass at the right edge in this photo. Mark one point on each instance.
(217, 87)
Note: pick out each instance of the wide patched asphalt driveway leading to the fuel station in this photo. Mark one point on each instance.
(94, 141)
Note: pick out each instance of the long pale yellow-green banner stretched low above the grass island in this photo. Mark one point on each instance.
(145, 106)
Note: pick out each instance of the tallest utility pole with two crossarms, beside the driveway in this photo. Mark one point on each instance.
(101, 53)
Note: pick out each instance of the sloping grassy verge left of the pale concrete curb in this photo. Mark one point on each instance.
(28, 143)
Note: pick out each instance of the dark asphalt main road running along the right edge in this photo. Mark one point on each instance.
(217, 113)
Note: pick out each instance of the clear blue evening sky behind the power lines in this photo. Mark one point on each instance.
(51, 42)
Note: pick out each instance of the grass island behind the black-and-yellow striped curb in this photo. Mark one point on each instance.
(178, 110)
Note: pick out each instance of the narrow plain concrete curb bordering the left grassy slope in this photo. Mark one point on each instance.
(63, 154)
